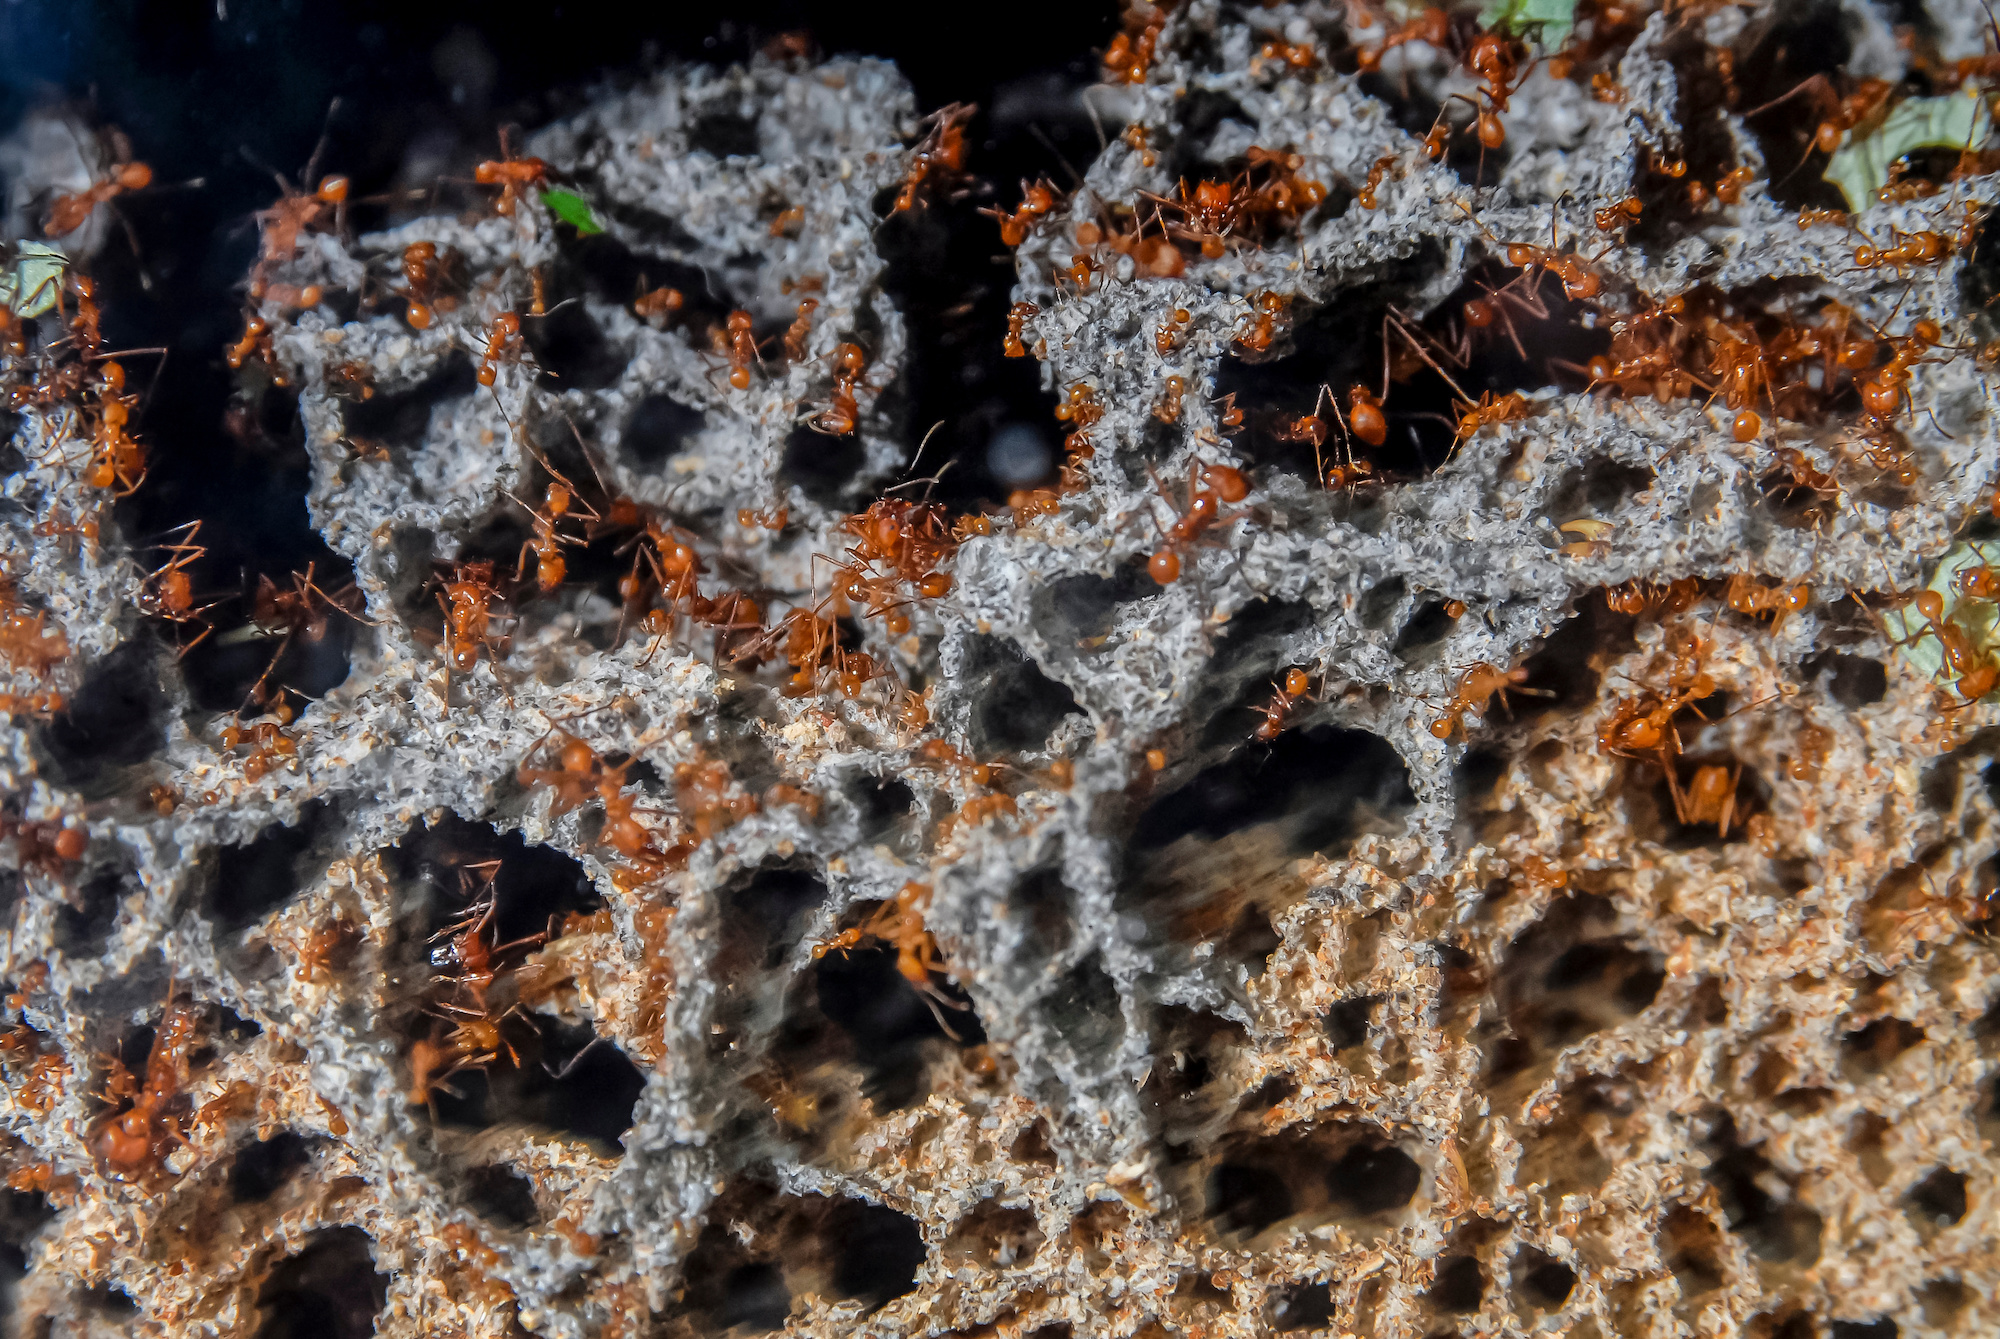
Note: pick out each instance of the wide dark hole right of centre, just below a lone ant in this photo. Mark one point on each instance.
(1325, 784)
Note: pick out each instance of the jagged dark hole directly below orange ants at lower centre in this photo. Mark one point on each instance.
(885, 1022)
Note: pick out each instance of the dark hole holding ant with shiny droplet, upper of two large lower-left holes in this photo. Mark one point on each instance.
(443, 880)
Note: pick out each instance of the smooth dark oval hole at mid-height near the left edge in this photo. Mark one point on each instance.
(113, 722)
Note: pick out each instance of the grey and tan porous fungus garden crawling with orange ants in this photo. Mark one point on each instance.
(1371, 1028)
